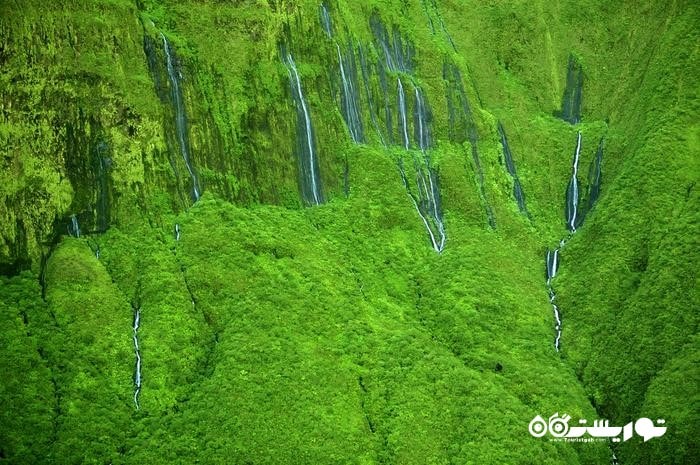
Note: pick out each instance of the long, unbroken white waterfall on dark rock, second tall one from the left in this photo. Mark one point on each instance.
(307, 153)
